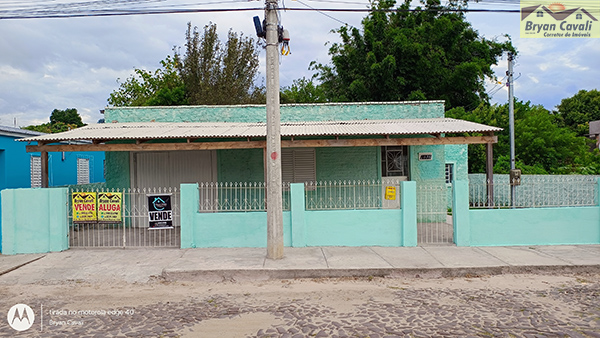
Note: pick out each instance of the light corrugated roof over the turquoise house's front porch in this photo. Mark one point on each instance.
(162, 130)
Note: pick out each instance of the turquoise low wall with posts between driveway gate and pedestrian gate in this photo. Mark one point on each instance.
(390, 227)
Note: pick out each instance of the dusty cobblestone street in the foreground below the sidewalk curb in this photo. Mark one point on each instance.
(482, 306)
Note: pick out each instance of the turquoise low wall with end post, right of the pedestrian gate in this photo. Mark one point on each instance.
(527, 226)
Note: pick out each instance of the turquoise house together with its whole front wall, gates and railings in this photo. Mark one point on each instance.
(369, 174)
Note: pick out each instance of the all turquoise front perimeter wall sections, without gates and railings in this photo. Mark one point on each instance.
(46, 230)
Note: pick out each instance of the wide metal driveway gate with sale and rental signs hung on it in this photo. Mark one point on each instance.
(134, 229)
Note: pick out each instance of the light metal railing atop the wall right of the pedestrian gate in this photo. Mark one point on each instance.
(535, 191)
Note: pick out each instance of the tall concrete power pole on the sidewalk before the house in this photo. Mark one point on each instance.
(273, 149)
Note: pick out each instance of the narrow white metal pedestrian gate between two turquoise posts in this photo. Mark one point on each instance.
(434, 224)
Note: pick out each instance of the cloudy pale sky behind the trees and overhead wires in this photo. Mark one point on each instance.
(48, 63)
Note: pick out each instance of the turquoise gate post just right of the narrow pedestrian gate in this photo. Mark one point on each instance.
(460, 213)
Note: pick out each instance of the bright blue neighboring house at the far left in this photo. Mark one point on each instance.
(19, 169)
